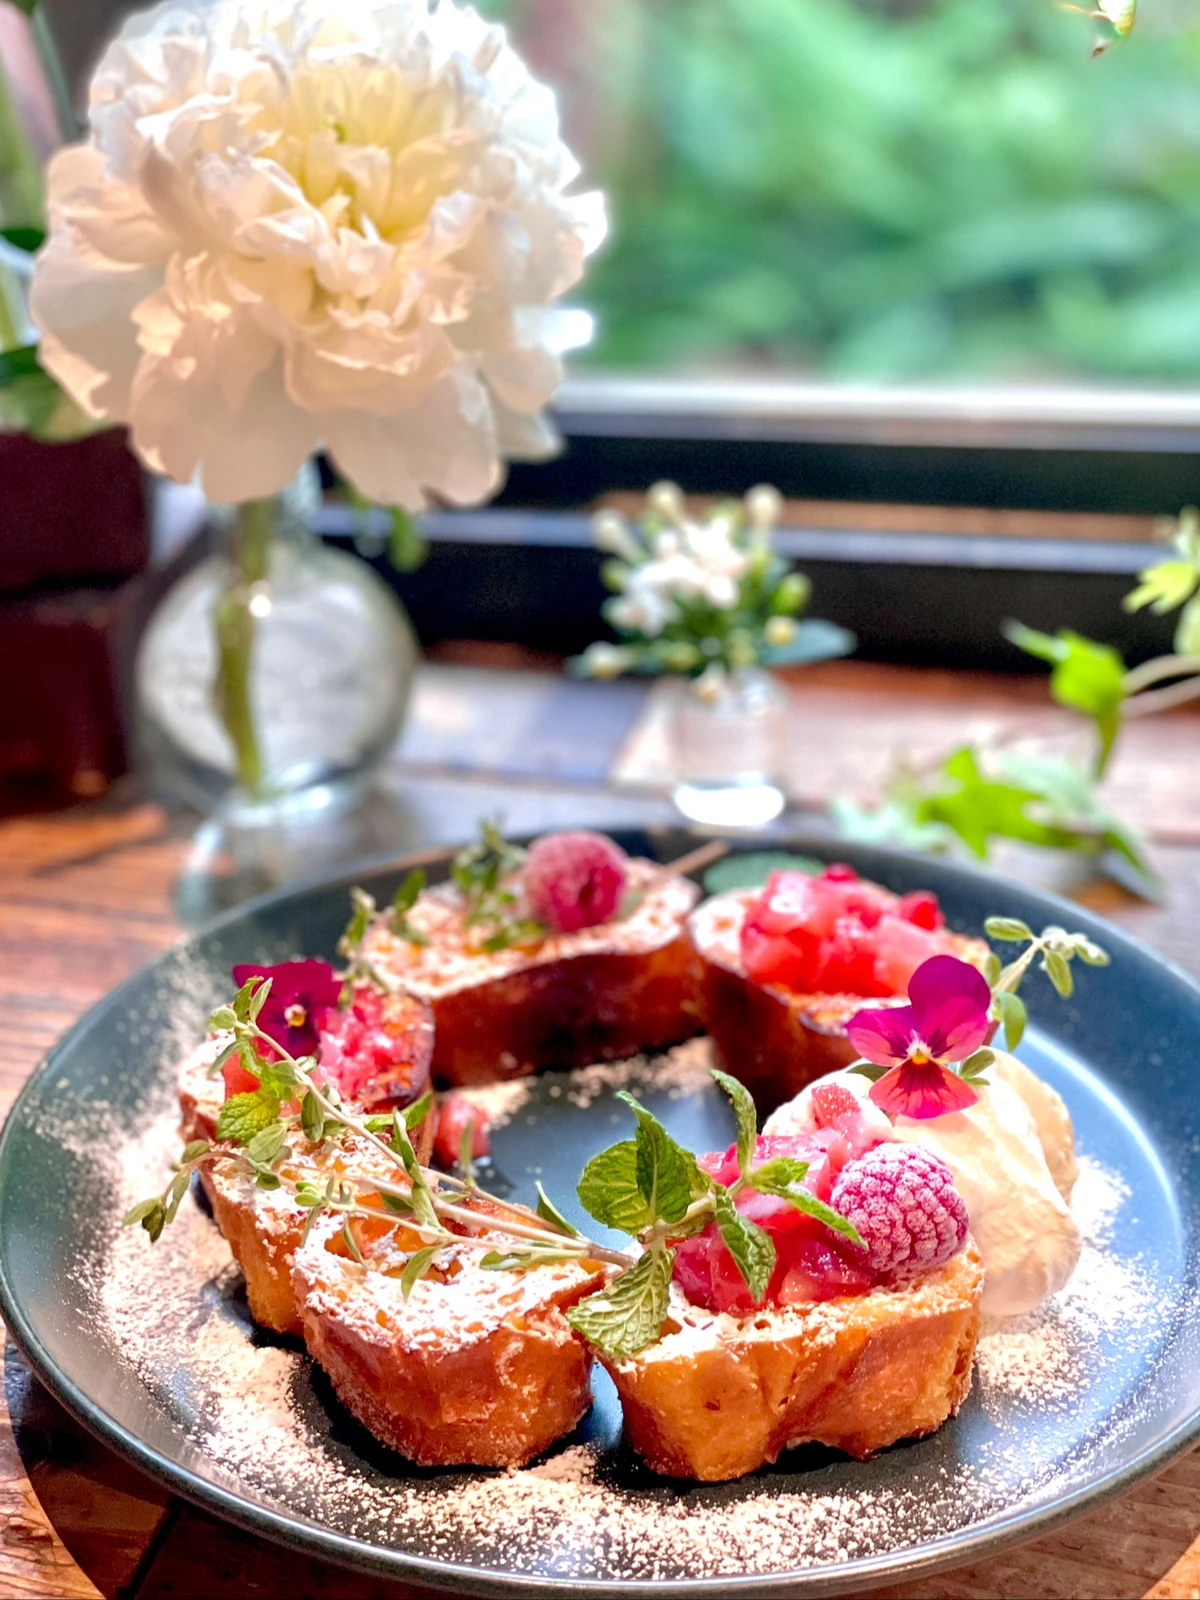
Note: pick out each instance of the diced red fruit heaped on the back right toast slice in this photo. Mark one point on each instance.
(838, 934)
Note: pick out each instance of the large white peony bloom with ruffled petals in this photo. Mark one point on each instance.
(308, 223)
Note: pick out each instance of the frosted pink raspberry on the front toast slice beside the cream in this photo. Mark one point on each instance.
(903, 1202)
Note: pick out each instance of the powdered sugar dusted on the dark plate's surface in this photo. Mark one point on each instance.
(260, 1418)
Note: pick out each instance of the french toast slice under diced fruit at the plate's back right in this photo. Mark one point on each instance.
(775, 1041)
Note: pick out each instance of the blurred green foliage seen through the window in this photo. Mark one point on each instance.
(886, 191)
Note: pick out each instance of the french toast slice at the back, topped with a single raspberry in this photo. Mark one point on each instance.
(566, 1001)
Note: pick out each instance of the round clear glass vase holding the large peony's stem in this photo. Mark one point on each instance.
(273, 681)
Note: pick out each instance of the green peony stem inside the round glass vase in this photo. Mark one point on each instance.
(236, 630)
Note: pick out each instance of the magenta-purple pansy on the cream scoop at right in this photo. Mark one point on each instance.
(946, 1020)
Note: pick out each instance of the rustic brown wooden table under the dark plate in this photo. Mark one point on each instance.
(89, 895)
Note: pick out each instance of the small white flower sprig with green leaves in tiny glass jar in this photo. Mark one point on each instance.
(706, 598)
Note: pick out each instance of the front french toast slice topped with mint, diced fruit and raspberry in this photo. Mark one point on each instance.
(719, 1396)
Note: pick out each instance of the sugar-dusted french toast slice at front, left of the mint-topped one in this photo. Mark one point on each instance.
(471, 1369)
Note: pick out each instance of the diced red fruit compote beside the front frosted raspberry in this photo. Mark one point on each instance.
(812, 1263)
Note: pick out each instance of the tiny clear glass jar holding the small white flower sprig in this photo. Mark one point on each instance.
(727, 734)
